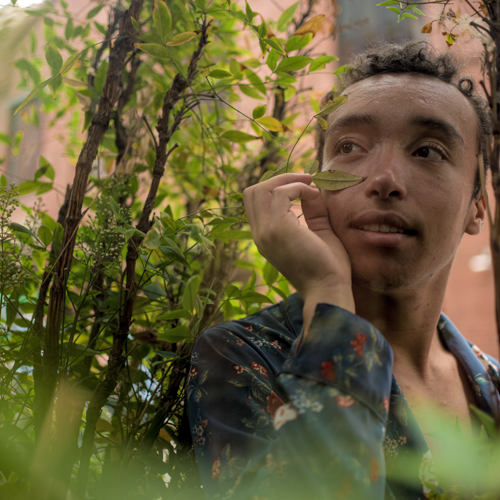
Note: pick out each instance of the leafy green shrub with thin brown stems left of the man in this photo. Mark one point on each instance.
(101, 305)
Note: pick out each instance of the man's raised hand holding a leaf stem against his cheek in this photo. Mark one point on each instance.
(311, 257)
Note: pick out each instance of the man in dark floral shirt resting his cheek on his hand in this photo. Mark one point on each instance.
(322, 395)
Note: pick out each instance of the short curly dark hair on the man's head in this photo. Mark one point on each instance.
(416, 57)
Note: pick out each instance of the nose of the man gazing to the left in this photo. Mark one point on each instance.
(385, 178)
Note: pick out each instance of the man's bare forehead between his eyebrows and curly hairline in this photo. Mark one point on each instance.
(402, 97)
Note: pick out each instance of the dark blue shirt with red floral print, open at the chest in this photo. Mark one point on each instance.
(274, 415)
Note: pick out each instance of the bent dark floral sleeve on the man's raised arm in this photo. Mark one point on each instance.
(313, 428)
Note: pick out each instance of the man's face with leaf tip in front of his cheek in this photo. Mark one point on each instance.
(414, 139)
